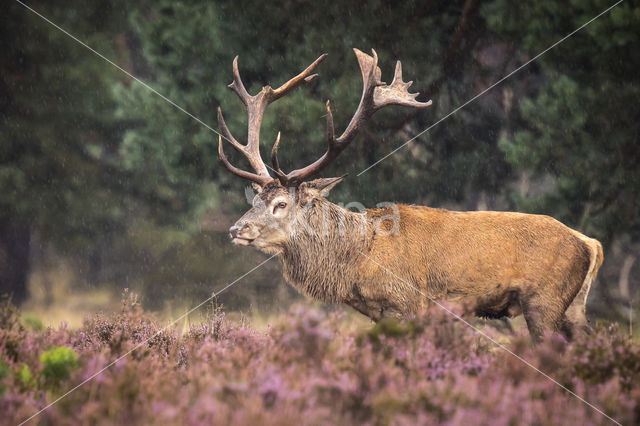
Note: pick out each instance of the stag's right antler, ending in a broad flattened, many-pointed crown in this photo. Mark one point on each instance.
(375, 95)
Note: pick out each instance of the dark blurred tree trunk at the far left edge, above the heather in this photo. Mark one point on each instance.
(15, 241)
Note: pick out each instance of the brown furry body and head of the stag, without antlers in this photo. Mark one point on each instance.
(503, 263)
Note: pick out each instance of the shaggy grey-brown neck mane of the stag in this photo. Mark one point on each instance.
(323, 251)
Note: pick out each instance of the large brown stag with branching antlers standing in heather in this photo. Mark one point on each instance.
(394, 260)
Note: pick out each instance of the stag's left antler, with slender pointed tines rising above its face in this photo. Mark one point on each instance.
(256, 106)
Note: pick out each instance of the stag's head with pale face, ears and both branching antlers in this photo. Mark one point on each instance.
(283, 199)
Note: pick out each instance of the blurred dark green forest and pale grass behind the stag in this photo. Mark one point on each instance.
(106, 186)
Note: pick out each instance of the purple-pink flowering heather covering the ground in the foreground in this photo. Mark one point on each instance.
(309, 367)
